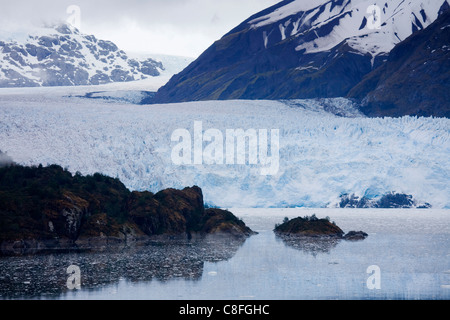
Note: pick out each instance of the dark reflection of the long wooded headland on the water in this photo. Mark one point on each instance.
(45, 275)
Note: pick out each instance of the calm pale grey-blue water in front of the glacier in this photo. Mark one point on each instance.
(410, 247)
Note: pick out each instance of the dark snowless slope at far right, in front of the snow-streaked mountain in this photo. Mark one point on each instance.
(415, 80)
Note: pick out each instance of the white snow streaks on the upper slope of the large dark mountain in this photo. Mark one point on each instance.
(322, 25)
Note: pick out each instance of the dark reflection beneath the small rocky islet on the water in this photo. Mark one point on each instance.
(310, 245)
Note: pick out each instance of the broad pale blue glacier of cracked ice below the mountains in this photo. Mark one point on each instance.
(321, 155)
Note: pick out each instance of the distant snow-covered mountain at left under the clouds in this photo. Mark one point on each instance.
(62, 56)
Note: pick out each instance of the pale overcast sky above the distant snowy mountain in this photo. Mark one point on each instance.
(176, 27)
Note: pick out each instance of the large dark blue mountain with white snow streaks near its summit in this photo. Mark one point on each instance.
(301, 49)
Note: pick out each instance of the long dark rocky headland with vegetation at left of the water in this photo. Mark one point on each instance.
(48, 208)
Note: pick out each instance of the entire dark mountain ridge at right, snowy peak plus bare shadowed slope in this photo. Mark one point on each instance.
(295, 51)
